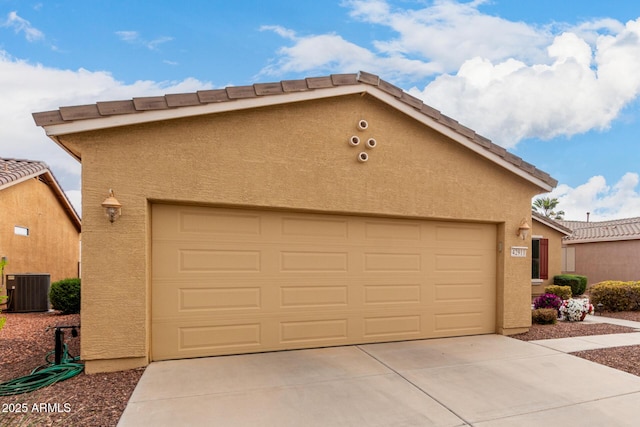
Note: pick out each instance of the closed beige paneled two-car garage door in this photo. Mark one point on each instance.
(229, 281)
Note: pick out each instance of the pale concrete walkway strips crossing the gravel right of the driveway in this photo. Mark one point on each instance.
(593, 342)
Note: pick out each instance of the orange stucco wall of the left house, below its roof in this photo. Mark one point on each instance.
(52, 245)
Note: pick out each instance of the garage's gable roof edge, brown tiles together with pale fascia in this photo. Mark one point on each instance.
(102, 115)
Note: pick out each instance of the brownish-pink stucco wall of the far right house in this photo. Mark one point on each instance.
(602, 261)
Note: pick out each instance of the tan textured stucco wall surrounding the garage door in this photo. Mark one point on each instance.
(292, 157)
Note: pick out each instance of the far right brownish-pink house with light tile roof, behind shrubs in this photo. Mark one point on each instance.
(603, 250)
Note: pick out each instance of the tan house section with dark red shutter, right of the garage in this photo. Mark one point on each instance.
(546, 251)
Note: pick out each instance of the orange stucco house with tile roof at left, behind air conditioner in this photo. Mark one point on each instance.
(39, 229)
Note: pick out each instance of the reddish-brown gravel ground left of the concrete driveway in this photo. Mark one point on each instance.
(84, 400)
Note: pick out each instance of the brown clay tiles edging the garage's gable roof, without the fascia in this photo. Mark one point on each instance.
(235, 93)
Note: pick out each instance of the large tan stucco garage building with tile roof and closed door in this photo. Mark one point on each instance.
(304, 213)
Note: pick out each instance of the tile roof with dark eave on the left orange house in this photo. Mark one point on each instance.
(15, 171)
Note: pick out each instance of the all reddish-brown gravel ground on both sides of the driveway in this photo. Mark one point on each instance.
(98, 400)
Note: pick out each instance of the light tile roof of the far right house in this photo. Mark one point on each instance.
(603, 231)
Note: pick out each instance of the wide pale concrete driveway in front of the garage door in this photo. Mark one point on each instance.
(487, 380)
